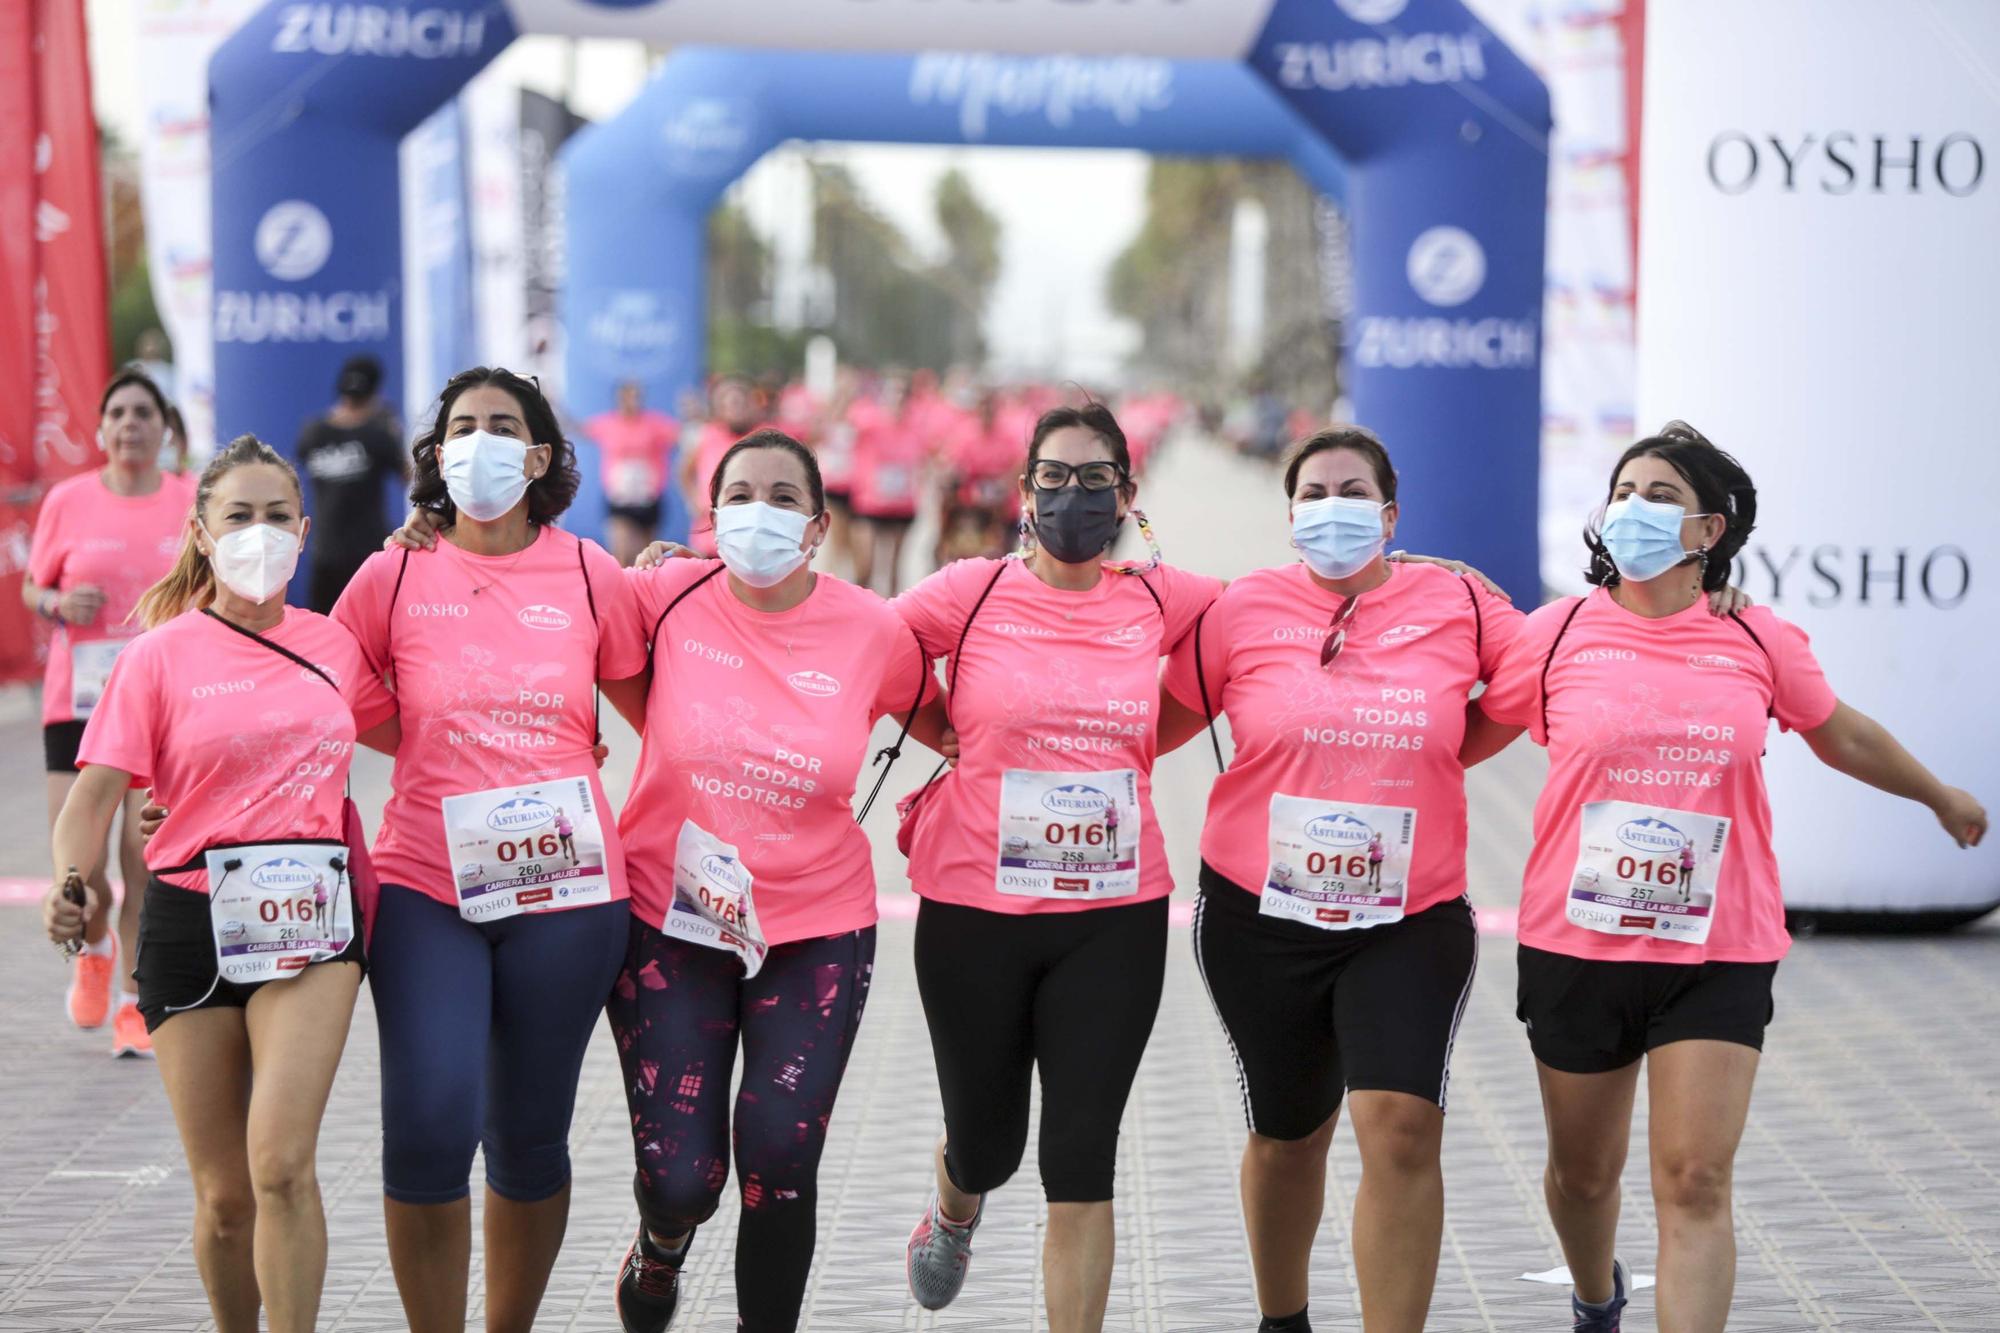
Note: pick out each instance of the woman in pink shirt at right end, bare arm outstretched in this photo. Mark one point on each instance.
(1655, 718)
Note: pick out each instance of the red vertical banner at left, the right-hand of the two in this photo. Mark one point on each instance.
(71, 291)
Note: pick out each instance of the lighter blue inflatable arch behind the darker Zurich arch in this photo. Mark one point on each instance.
(641, 187)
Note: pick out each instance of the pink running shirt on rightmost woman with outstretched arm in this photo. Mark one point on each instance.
(1663, 714)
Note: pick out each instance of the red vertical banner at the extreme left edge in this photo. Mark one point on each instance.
(17, 333)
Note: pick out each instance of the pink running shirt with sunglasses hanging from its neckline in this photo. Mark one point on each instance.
(1381, 726)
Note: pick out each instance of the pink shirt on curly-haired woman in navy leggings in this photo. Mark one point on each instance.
(495, 665)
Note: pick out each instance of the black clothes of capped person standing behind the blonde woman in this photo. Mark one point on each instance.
(349, 469)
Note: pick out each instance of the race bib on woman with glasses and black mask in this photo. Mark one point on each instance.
(1069, 836)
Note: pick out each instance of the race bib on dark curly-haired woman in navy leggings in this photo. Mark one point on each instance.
(527, 850)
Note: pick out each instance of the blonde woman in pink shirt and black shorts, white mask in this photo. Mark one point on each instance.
(241, 714)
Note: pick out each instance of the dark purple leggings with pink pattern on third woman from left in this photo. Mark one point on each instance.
(679, 1012)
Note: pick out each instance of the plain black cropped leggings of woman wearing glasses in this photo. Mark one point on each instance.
(1073, 994)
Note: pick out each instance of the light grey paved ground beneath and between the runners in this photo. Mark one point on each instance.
(1869, 1186)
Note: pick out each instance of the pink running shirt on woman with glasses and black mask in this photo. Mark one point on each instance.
(1049, 682)
